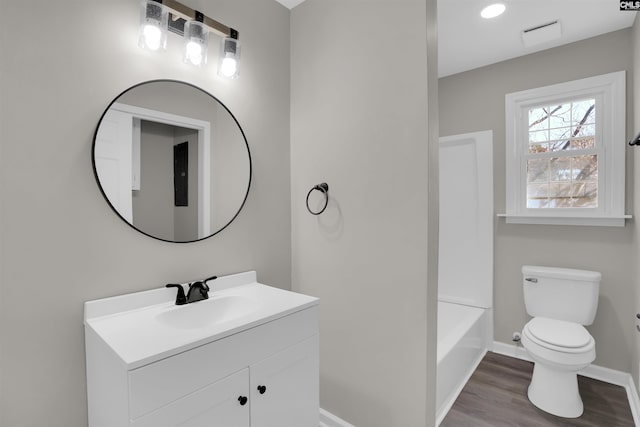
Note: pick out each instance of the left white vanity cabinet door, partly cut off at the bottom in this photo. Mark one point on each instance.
(216, 405)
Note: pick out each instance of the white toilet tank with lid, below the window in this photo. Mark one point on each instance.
(561, 293)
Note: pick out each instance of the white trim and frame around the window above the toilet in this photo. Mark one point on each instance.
(610, 92)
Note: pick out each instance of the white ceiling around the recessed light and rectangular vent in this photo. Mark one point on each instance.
(467, 41)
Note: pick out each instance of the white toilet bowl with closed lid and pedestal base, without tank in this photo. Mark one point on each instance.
(559, 350)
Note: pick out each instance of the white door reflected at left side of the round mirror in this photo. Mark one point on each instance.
(113, 153)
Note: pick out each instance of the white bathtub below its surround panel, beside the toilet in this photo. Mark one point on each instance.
(463, 337)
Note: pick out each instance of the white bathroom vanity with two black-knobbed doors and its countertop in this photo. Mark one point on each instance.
(263, 373)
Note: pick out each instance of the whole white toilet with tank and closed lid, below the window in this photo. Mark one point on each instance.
(561, 301)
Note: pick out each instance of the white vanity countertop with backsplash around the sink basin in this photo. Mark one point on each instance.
(129, 325)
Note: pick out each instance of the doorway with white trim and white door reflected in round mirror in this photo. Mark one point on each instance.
(148, 204)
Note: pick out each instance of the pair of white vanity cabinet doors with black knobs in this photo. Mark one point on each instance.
(288, 381)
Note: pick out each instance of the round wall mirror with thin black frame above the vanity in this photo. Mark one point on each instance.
(172, 161)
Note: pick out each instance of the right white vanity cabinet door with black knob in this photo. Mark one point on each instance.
(284, 387)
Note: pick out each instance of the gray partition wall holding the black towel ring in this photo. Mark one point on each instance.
(360, 122)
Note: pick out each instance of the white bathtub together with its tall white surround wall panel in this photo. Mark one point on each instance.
(465, 264)
